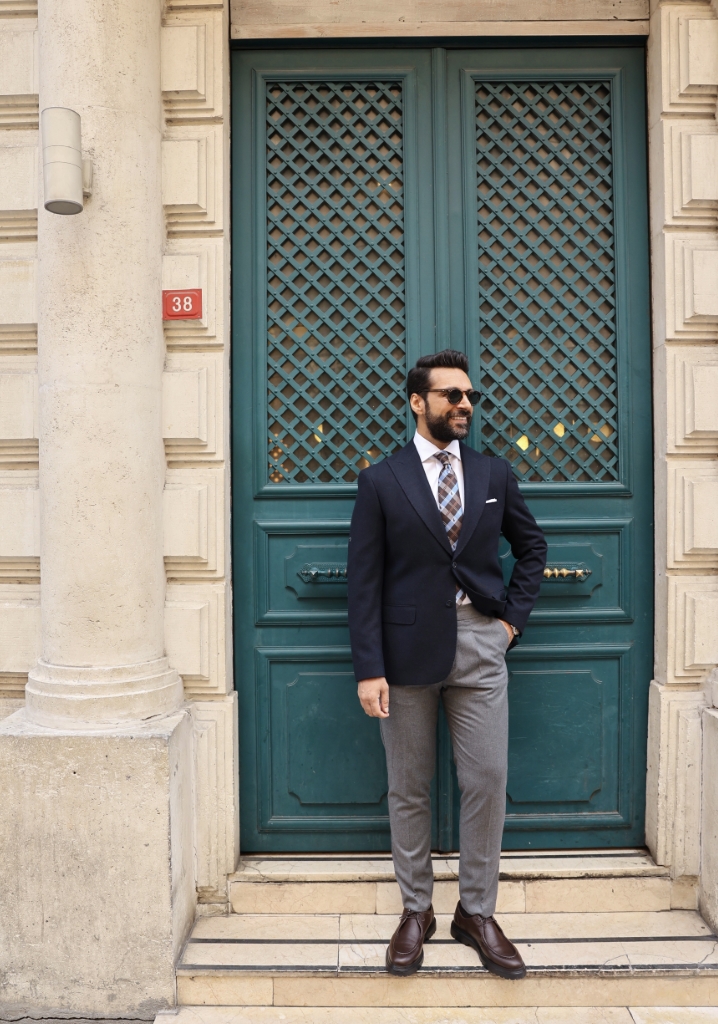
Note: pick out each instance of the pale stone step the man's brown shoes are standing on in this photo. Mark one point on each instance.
(667, 958)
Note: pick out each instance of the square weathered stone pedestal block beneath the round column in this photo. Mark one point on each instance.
(98, 868)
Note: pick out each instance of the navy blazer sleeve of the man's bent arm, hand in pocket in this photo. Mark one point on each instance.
(529, 548)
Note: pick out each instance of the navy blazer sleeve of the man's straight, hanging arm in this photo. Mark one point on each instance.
(366, 581)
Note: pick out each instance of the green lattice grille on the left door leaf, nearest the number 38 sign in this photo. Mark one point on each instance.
(336, 355)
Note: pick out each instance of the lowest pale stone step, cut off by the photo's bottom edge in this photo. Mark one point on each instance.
(441, 1015)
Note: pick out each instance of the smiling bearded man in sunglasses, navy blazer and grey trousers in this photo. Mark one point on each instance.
(431, 620)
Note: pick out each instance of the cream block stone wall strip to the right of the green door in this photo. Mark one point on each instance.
(684, 177)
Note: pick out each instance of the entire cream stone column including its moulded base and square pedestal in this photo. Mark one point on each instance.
(98, 870)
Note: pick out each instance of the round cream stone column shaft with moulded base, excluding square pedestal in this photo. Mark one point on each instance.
(101, 358)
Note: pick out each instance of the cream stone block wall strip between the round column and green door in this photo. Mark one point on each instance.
(196, 428)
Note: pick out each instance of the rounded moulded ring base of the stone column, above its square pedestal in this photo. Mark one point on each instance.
(60, 697)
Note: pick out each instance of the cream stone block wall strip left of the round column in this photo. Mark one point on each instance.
(20, 538)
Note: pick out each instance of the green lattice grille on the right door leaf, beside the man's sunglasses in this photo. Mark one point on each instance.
(547, 278)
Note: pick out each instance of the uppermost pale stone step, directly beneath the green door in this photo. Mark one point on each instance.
(597, 881)
